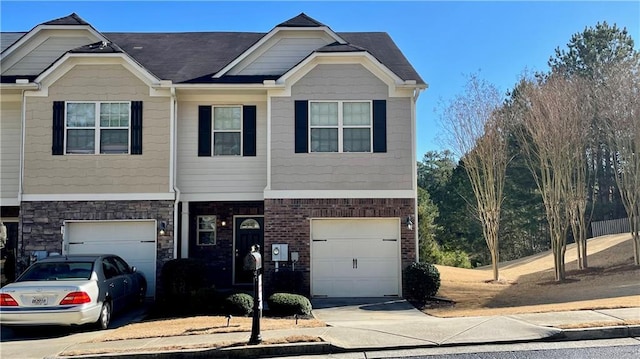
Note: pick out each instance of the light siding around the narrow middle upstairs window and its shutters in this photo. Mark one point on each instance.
(219, 174)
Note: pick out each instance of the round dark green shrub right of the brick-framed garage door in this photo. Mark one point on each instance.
(422, 281)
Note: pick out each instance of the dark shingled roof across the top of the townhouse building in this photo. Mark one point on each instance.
(194, 57)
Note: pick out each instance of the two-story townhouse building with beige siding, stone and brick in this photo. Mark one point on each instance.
(158, 146)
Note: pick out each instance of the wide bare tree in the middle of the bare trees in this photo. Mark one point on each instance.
(551, 134)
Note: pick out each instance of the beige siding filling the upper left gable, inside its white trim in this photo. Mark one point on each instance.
(45, 54)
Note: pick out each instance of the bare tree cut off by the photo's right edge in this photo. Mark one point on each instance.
(620, 97)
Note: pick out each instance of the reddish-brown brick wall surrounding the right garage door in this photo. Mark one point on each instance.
(287, 221)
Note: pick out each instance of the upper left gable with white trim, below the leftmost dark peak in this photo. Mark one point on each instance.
(38, 52)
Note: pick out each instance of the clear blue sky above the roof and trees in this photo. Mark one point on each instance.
(444, 40)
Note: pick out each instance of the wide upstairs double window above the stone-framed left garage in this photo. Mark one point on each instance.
(97, 127)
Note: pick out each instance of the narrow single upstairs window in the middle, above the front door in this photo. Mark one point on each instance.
(227, 131)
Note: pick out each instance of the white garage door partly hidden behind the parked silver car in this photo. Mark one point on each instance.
(134, 241)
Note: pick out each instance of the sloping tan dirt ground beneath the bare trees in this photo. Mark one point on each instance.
(527, 285)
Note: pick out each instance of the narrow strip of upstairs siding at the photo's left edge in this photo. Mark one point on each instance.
(10, 134)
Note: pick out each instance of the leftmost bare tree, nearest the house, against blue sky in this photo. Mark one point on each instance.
(474, 131)
